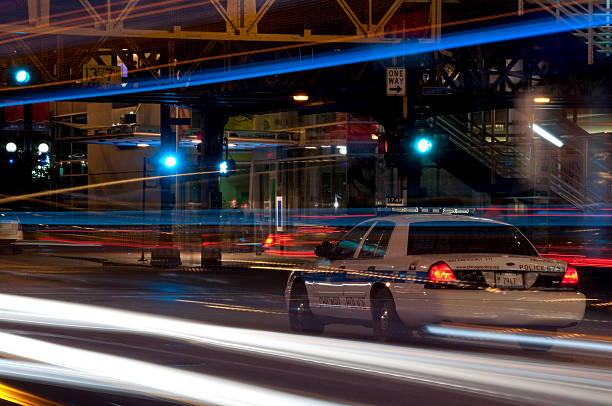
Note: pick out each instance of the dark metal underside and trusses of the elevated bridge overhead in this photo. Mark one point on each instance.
(193, 37)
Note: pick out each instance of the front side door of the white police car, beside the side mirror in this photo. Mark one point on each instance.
(327, 290)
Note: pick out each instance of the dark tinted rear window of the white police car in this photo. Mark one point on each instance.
(466, 237)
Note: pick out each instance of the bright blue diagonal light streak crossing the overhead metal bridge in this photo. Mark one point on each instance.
(359, 54)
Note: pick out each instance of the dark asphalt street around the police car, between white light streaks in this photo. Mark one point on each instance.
(236, 298)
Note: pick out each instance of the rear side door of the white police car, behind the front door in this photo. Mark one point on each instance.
(369, 268)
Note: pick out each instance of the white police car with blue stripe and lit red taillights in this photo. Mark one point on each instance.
(410, 269)
